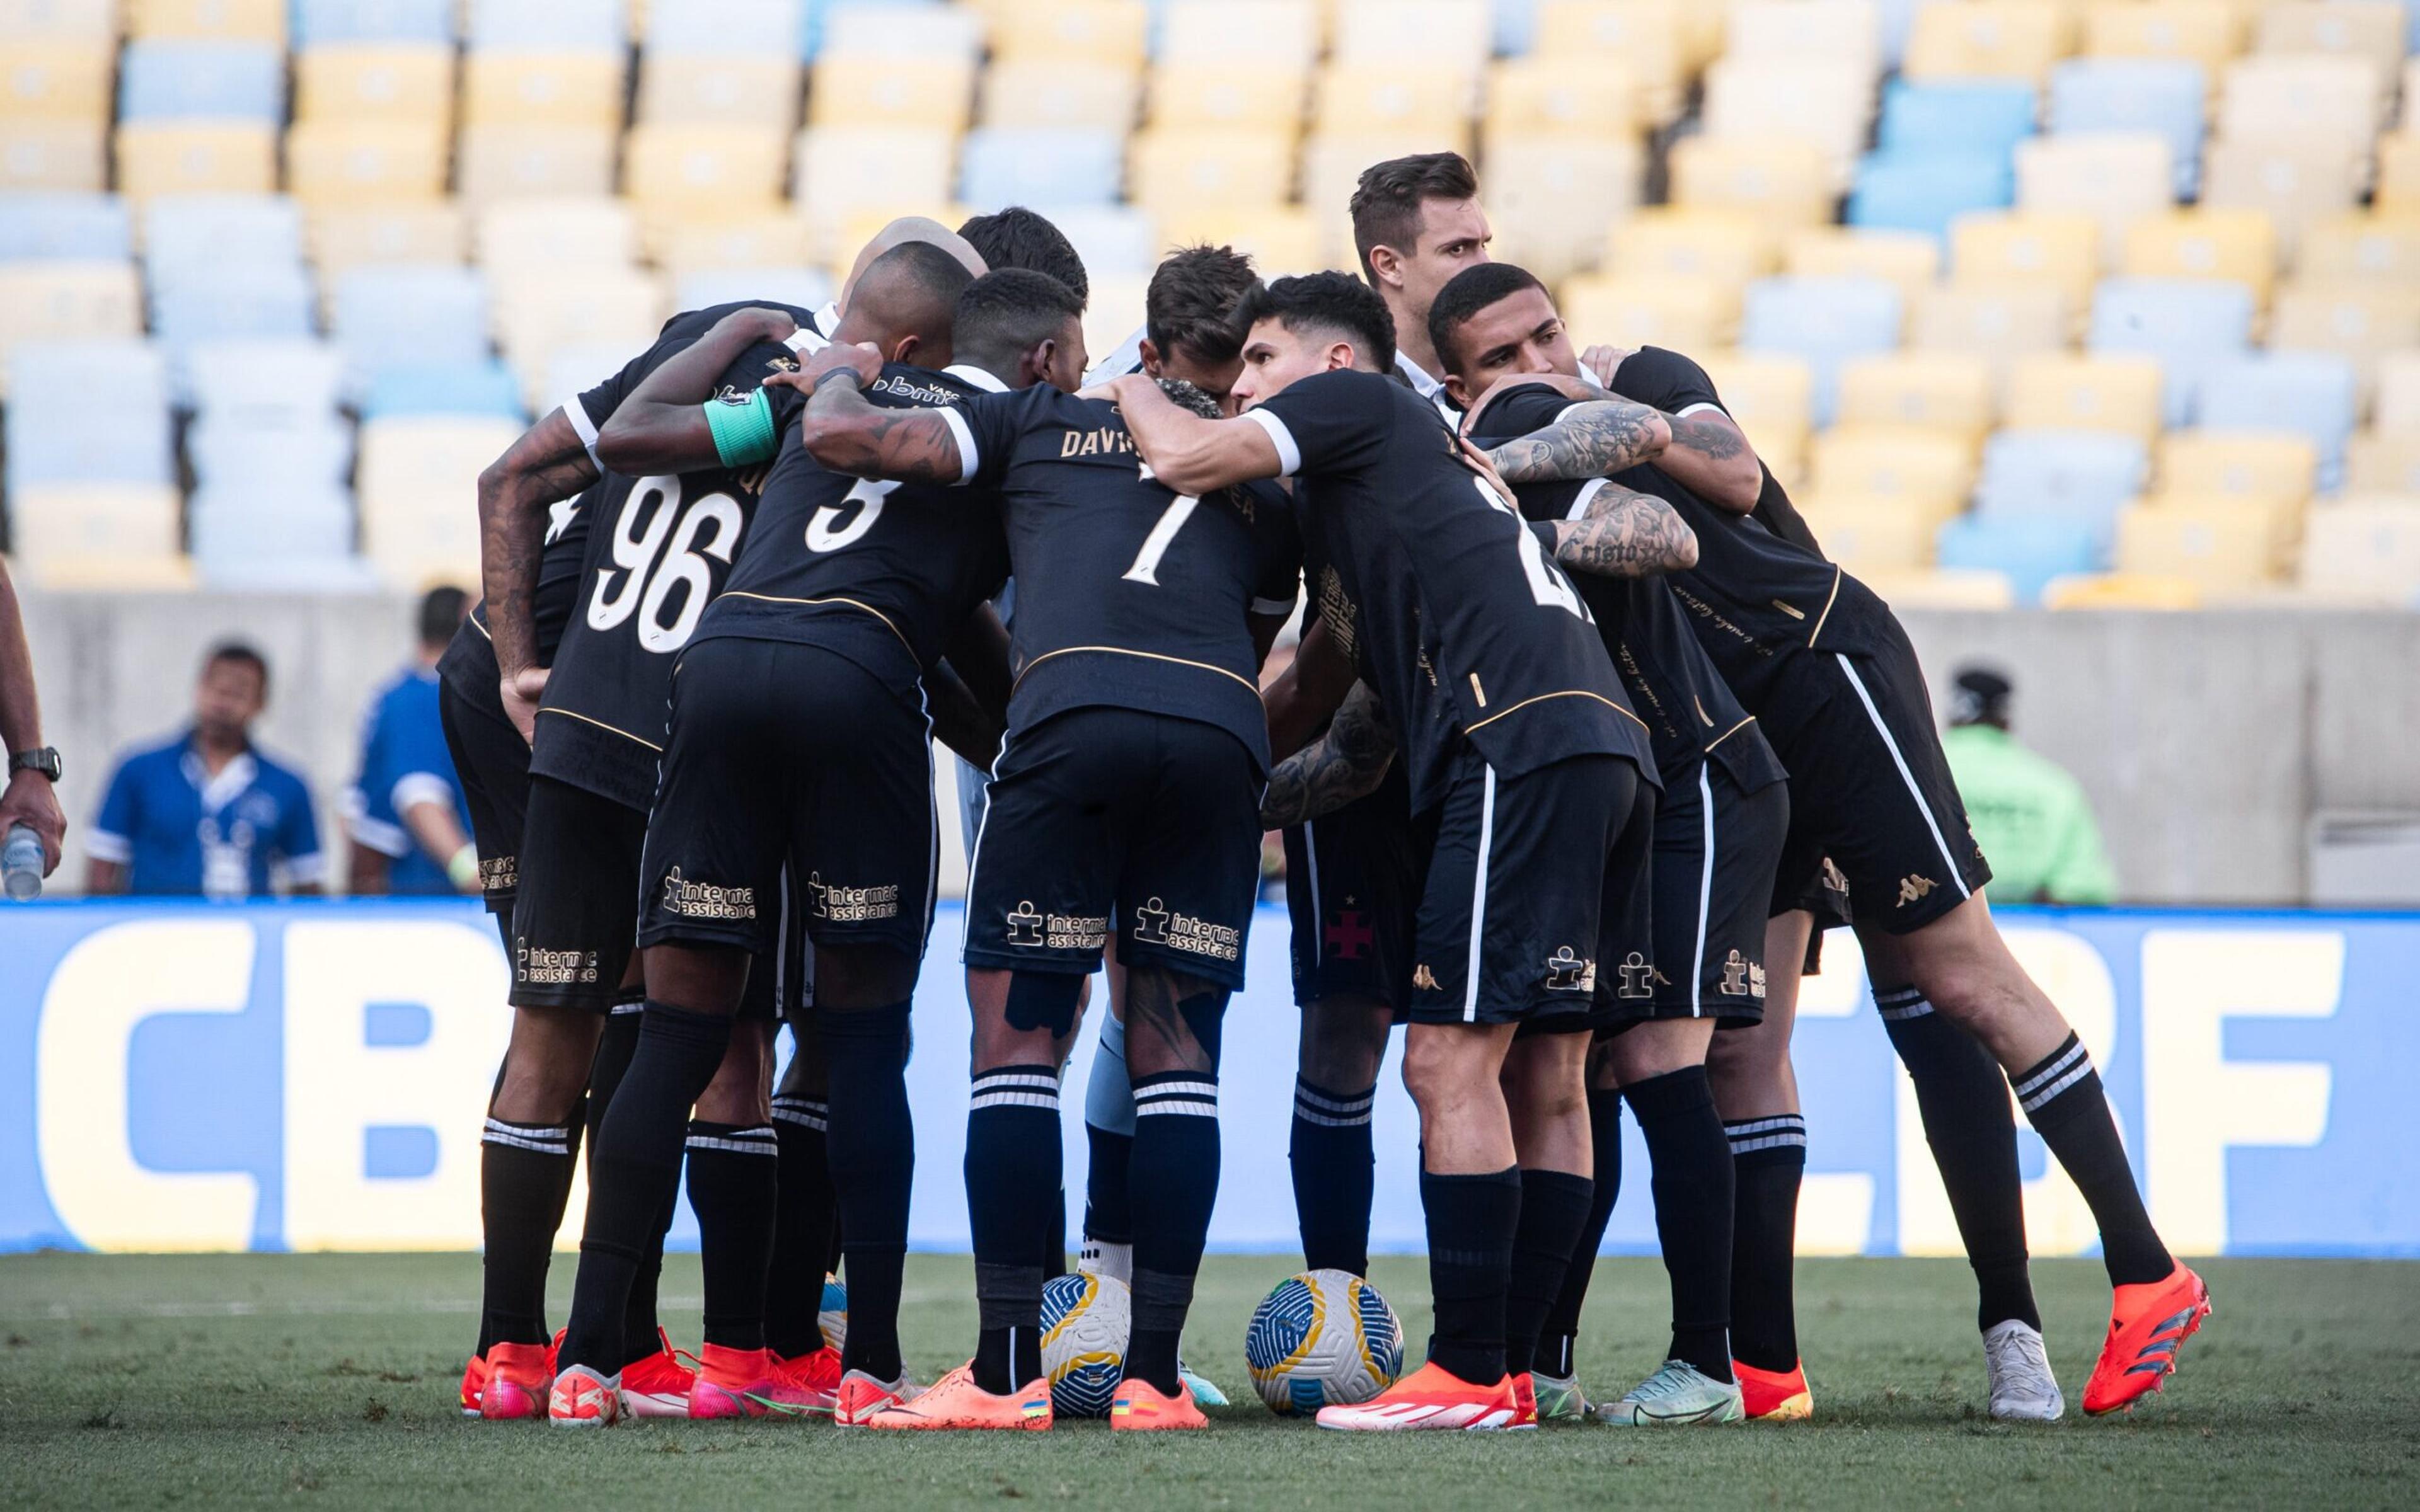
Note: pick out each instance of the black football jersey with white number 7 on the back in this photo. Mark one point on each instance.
(1127, 591)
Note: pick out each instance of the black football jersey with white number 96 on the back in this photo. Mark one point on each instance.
(657, 553)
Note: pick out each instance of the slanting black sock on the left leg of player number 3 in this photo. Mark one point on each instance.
(635, 1170)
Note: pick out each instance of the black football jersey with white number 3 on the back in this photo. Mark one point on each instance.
(880, 572)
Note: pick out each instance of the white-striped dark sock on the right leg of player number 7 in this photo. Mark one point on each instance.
(1175, 1187)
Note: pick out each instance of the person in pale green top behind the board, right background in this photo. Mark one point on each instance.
(2029, 814)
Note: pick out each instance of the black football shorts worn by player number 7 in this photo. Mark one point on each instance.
(1117, 819)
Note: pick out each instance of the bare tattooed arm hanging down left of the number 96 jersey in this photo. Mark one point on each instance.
(543, 468)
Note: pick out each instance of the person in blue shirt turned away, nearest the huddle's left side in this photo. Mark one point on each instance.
(405, 814)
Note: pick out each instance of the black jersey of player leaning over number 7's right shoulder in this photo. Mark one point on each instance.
(1465, 625)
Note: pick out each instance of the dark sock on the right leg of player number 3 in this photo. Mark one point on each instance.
(872, 1170)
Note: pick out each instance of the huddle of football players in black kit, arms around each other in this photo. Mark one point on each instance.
(1581, 741)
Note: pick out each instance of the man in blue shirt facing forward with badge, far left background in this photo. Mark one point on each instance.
(207, 814)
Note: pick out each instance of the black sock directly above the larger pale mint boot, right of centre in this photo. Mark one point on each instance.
(1690, 1177)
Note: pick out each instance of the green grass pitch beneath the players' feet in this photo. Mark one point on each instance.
(330, 1380)
